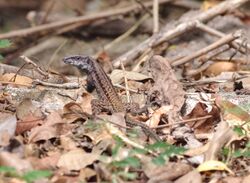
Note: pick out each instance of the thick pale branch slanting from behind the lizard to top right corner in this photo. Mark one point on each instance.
(165, 34)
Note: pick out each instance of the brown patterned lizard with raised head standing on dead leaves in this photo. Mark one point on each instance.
(108, 97)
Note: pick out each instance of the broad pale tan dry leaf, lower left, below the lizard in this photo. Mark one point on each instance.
(77, 159)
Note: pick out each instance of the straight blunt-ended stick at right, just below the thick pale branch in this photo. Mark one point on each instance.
(224, 40)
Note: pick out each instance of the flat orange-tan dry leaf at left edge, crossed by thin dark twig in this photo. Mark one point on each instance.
(17, 79)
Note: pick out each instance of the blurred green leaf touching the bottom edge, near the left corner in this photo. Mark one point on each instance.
(31, 176)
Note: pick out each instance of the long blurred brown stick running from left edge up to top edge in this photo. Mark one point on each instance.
(80, 21)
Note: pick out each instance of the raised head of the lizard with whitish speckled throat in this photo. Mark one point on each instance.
(80, 61)
